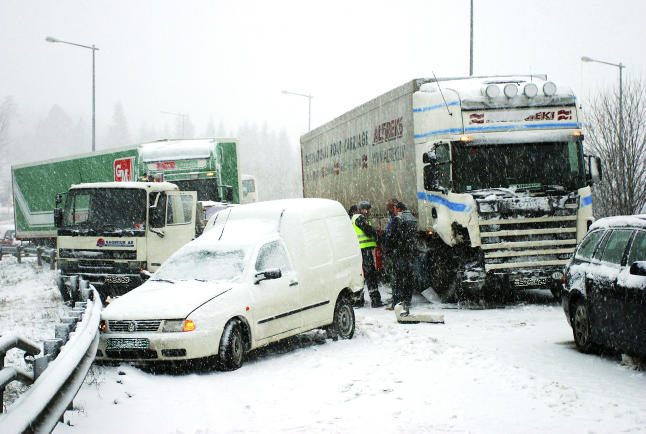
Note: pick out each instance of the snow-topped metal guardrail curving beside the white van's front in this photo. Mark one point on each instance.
(57, 381)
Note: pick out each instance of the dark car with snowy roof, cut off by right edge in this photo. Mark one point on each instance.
(604, 288)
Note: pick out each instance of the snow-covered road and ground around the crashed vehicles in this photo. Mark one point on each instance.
(511, 369)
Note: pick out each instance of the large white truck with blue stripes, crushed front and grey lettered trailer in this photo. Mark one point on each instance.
(492, 167)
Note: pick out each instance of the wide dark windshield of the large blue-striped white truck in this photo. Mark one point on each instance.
(521, 166)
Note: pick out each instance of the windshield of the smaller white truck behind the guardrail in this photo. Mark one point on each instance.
(106, 208)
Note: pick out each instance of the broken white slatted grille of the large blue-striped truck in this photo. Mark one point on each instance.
(524, 240)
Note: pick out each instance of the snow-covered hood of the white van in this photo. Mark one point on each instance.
(160, 299)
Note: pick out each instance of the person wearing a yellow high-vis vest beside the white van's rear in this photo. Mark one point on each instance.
(367, 241)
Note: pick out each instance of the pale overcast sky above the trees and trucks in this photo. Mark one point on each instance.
(230, 59)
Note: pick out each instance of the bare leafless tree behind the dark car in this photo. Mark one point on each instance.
(620, 141)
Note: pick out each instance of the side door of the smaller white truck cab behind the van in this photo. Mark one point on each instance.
(172, 224)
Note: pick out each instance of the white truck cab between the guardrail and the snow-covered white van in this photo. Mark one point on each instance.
(111, 234)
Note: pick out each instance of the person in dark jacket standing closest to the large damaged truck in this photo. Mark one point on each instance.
(401, 242)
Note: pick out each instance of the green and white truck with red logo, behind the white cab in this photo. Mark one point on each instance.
(208, 166)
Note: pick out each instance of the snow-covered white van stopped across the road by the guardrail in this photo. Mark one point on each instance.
(263, 272)
